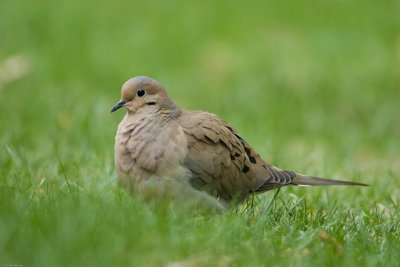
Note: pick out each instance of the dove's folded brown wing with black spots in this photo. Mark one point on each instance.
(221, 161)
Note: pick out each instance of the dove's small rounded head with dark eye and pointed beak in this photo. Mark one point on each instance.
(142, 93)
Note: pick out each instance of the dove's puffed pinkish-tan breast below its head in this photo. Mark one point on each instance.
(148, 146)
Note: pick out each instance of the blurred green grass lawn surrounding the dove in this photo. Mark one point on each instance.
(314, 87)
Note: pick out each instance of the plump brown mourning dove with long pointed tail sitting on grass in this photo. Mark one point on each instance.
(161, 149)
